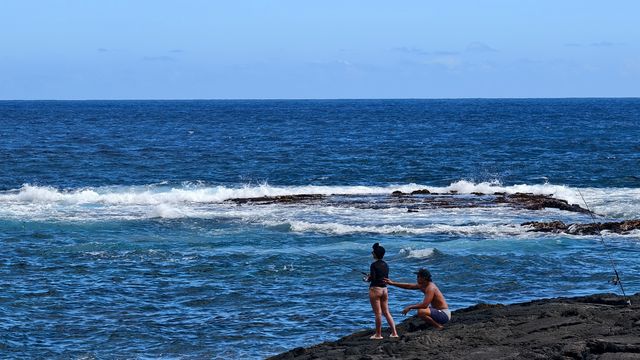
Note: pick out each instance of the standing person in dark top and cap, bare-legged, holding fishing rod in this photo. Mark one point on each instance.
(378, 293)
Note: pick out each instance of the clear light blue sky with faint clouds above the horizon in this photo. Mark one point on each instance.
(237, 49)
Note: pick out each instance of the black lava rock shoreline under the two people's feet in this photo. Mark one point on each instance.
(601, 326)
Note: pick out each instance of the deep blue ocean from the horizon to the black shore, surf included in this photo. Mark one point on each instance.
(117, 241)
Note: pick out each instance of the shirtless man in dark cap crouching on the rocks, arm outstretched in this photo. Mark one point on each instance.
(433, 309)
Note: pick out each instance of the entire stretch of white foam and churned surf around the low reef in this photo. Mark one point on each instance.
(201, 201)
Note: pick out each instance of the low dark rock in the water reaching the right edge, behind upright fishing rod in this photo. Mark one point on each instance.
(622, 227)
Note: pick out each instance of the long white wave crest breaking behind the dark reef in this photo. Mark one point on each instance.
(158, 194)
